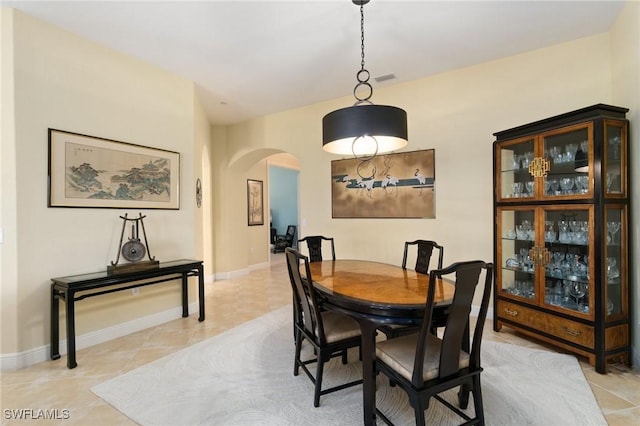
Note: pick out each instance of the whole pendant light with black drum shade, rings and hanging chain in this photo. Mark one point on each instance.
(364, 129)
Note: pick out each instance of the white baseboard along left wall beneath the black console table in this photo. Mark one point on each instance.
(11, 362)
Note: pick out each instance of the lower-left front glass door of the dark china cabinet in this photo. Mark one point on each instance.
(517, 272)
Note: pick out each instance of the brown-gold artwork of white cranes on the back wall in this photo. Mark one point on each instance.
(400, 185)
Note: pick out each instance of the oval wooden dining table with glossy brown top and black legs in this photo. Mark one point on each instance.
(374, 294)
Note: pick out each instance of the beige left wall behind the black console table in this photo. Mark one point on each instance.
(65, 82)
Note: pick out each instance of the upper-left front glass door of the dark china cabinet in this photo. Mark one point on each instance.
(514, 159)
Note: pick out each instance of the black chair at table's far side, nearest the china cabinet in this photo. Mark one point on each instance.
(423, 260)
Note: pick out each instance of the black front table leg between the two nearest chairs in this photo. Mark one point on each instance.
(368, 330)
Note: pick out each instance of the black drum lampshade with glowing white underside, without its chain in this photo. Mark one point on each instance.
(387, 125)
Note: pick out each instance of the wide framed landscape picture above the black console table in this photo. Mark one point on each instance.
(87, 171)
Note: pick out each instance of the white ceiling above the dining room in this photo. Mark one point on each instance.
(251, 58)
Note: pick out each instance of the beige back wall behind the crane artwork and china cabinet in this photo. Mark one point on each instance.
(456, 113)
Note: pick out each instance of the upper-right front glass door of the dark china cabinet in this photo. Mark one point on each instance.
(569, 154)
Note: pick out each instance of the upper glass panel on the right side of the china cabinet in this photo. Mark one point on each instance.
(615, 150)
